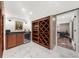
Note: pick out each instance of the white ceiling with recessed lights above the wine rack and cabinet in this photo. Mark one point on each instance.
(38, 8)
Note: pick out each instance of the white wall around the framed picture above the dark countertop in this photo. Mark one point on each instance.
(11, 24)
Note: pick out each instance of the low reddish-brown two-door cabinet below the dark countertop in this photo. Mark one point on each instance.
(14, 39)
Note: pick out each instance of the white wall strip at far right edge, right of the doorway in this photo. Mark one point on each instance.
(77, 30)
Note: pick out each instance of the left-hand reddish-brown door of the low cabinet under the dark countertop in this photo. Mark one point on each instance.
(11, 40)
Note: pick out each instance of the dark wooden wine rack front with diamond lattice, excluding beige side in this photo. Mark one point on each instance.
(41, 31)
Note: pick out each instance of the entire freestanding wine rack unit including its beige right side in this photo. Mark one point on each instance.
(44, 31)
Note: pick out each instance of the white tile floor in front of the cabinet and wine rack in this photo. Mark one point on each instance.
(33, 50)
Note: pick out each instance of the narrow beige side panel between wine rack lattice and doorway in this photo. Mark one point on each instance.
(52, 32)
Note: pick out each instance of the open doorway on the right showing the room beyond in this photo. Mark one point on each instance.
(64, 25)
